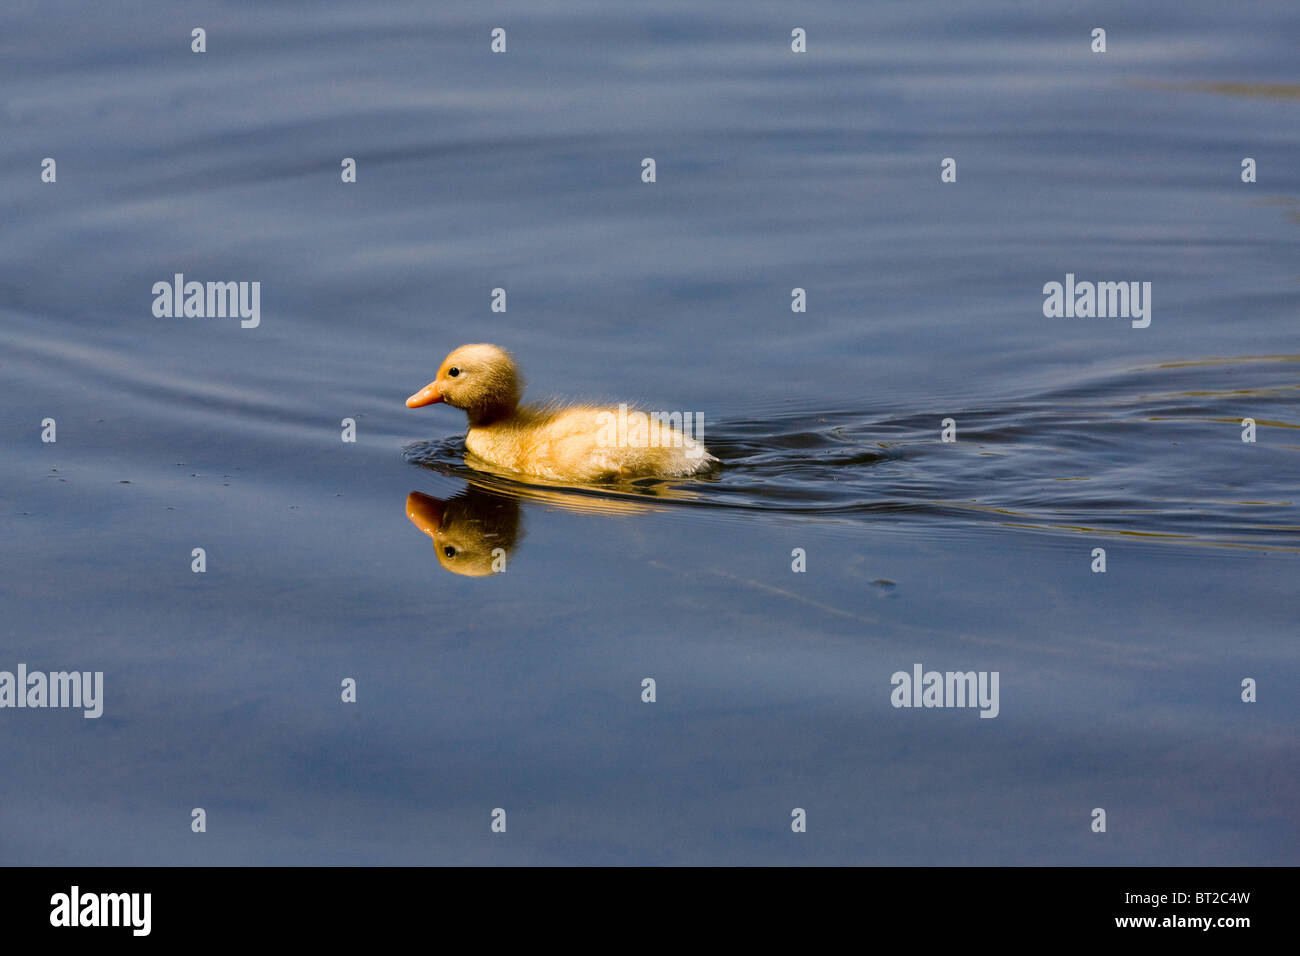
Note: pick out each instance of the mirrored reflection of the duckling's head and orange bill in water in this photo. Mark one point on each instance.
(474, 533)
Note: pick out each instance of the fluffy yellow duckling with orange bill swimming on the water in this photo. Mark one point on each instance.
(560, 443)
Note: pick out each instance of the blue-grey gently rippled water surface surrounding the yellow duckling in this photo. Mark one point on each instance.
(775, 171)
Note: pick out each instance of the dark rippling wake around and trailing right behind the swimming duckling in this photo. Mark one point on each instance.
(1152, 452)
